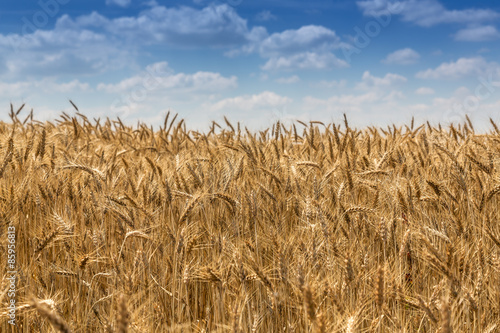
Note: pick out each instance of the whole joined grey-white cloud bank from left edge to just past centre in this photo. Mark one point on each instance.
(93, 43)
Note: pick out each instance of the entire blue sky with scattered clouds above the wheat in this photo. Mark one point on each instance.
(378, 61)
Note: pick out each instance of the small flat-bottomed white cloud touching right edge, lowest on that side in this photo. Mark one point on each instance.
(463, 67)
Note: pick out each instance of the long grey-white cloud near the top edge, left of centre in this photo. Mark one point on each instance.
(212, 26)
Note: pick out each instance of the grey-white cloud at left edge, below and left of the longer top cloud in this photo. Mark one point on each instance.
(60, 52)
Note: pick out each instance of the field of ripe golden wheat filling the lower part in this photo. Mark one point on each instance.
(309, 227)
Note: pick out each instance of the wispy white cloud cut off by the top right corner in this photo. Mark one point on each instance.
(426, 13)
